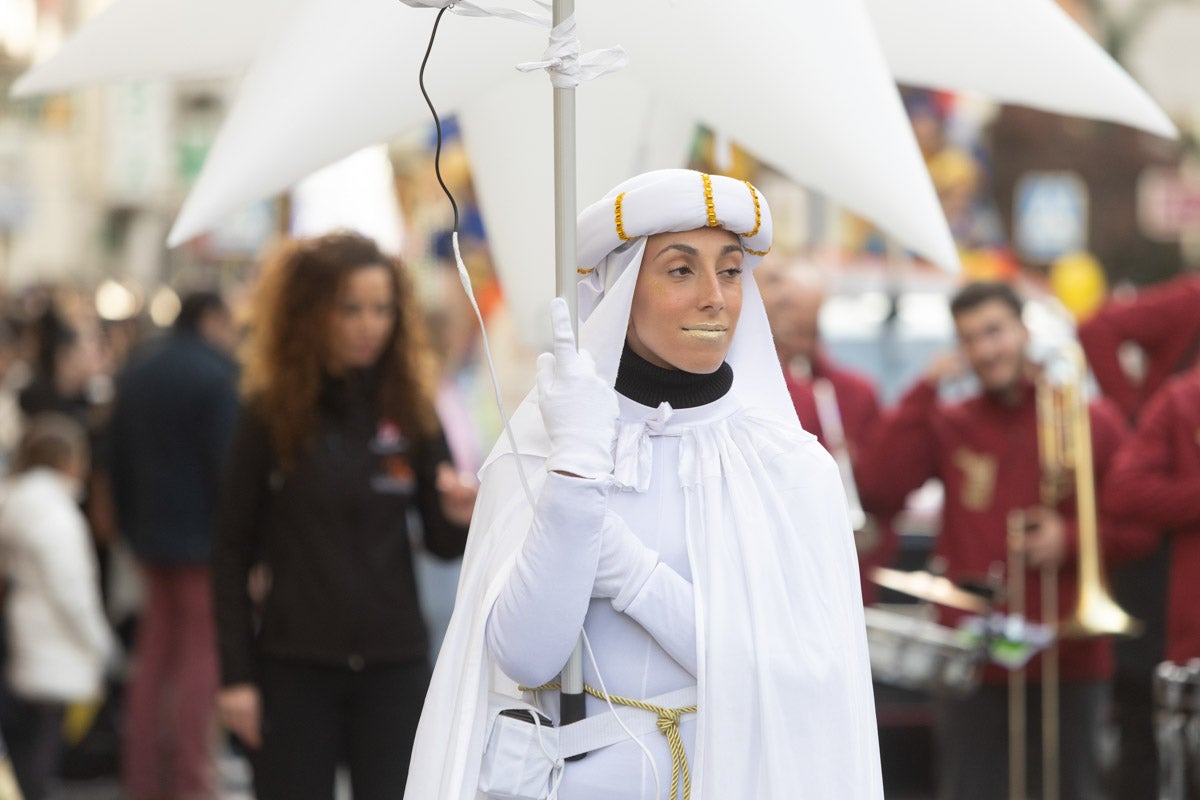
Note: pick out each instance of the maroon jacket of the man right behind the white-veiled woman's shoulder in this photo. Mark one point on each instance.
(860, 408)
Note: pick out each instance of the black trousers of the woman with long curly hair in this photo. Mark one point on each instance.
(317, 717)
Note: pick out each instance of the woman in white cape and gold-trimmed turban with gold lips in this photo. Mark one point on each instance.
(683, 521)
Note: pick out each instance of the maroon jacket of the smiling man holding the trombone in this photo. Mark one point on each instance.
(986, 454)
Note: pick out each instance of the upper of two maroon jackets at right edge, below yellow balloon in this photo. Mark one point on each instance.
(1165, 321)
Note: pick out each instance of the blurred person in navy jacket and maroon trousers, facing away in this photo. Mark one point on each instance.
(176, 408)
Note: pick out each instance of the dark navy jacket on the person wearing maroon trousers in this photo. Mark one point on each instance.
(177, 404)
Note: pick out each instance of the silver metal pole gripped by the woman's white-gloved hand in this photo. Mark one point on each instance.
(572, 699)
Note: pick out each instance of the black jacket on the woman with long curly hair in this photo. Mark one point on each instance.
(334, 533)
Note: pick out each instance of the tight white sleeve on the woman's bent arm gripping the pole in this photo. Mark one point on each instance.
(538, 616)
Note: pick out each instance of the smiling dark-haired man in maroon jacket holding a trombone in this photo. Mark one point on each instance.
(986, 453)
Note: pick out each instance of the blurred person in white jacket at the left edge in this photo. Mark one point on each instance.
(59, 639)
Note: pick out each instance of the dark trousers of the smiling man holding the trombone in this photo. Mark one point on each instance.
(973, 743)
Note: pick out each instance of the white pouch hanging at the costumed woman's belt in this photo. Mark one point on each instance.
(521, 754)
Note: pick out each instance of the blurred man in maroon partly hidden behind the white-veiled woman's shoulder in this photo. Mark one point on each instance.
(794, 297)
